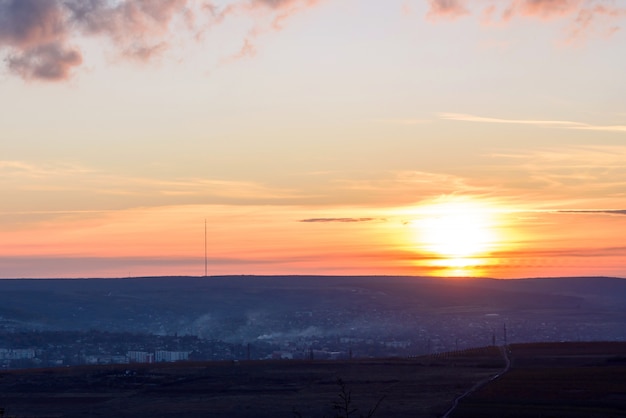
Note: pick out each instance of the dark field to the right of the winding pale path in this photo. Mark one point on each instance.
(573, 380)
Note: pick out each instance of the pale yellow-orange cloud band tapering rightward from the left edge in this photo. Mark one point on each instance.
(27, 185)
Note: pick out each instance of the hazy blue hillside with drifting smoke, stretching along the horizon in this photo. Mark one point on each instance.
(372, 315)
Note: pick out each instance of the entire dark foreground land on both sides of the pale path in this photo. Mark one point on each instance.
(566, 380)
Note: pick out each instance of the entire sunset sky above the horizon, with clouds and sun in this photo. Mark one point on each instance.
(474, 138)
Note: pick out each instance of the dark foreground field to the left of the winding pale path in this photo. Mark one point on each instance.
(420, 387)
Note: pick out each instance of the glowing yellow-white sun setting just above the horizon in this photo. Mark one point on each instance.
(458, 234)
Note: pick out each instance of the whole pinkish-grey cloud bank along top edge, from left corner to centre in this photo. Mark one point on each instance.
(39, 37)
